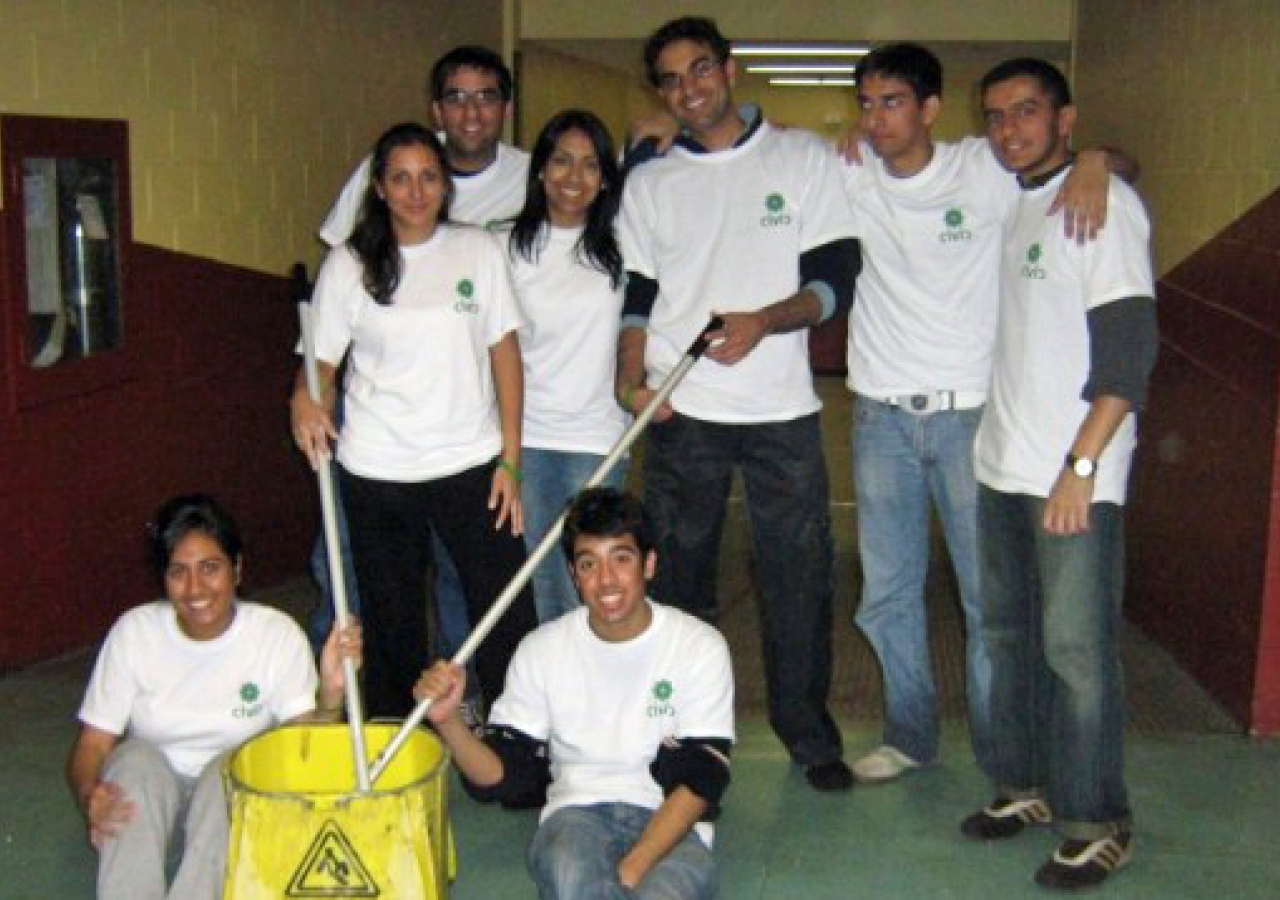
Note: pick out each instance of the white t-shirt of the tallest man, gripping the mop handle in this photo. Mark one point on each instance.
(724, 232)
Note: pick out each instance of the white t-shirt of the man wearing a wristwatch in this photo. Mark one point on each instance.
(1043, 355)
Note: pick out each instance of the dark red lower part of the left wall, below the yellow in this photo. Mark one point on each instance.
(204, 409)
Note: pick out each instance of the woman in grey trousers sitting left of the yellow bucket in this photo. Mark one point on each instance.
(177, 684)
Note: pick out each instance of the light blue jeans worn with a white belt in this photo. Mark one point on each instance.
(902, 462)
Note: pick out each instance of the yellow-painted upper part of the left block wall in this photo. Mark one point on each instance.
(245, 116)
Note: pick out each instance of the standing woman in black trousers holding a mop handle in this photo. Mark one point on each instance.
(427, 316)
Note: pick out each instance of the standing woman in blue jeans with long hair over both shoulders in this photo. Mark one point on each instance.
(569, 277)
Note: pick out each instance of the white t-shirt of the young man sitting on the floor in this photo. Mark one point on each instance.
(606, 707)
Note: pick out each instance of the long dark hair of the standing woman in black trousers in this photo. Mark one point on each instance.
(374, 239)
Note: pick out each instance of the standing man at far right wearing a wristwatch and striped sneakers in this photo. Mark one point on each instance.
(1076, 345)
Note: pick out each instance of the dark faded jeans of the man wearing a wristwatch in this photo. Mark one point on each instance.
(1054, 613)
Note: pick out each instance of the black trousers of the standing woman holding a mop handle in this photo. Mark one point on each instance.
(391, 538)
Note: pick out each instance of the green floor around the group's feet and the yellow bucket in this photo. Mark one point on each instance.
(1208, 801)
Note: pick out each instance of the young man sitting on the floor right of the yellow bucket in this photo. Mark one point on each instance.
(618, 716)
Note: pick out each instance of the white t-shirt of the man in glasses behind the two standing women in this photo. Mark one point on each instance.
(492, 195)
